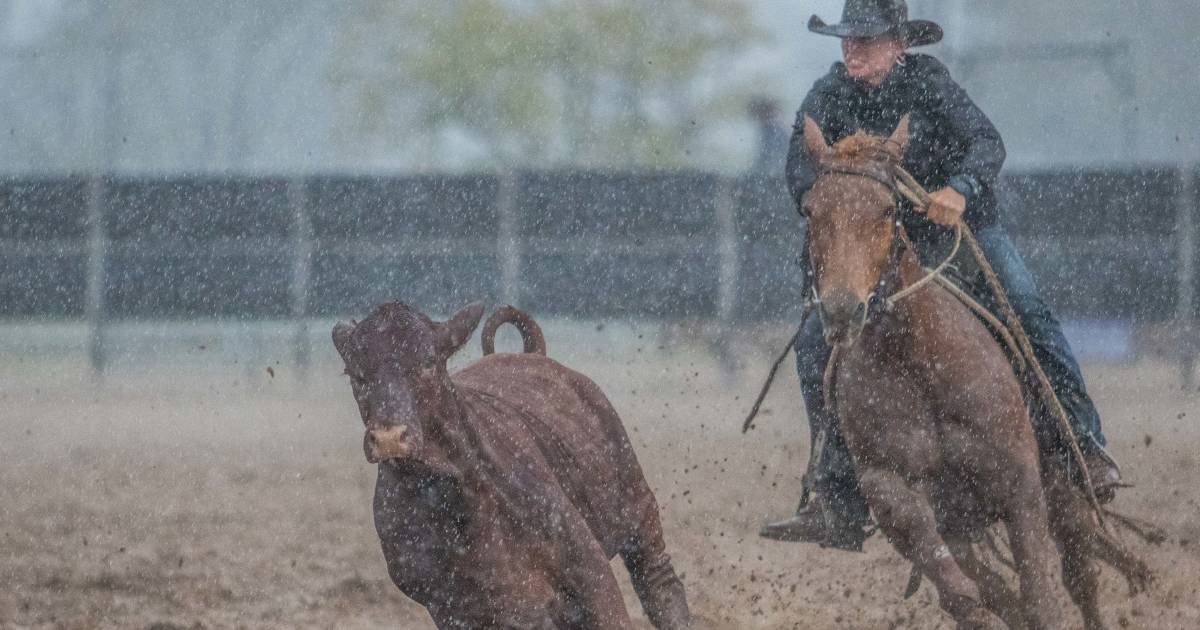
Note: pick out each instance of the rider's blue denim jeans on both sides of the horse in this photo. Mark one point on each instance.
(835, 475)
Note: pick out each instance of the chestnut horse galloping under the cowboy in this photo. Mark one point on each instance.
(934, 415)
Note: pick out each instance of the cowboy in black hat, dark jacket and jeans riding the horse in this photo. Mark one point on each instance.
(957, 153)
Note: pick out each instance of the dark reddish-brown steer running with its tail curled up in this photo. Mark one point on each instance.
(505, 490)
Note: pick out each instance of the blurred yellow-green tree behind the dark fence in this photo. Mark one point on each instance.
(538, 82)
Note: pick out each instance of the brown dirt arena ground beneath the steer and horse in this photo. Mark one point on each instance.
(205, 493)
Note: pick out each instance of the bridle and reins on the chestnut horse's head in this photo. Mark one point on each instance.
(886, 295)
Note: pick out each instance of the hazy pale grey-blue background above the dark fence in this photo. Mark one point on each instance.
(317, 86)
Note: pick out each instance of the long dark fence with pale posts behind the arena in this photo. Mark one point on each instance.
(646, 245)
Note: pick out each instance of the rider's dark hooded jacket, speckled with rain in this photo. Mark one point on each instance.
(952, 143)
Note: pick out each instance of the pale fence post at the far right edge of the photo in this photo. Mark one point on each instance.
(1186, 295)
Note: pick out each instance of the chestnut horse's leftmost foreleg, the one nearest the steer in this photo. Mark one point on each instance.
(907, 519)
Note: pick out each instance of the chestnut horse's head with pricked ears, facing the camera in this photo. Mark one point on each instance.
(853, 224)
